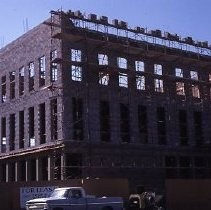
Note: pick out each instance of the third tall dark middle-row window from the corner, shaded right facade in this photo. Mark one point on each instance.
(124, 123)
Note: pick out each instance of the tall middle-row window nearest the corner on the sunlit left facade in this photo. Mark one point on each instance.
(54, 119)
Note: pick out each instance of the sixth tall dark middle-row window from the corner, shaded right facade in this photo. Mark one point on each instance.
(183, 128)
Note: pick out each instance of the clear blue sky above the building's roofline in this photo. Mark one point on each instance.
(184, 17)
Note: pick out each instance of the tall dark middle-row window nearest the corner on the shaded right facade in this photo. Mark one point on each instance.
(77, 113)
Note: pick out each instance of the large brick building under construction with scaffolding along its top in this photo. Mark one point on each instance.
(85, 98)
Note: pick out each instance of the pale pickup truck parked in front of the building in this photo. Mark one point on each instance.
(74, 198)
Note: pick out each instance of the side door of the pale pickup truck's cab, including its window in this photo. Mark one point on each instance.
(77, 201)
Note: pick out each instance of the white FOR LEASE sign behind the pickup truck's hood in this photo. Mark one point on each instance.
(28, 193)
